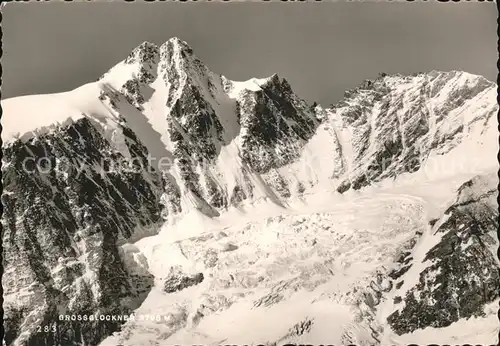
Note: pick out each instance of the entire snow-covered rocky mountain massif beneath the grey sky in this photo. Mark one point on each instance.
(165, 188)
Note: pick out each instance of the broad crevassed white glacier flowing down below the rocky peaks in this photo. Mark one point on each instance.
(296, 267)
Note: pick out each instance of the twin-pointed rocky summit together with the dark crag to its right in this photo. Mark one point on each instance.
(205, 113)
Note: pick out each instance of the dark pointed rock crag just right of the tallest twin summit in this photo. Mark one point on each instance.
(275, 125)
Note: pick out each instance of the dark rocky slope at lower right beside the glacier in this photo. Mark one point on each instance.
(460, 273)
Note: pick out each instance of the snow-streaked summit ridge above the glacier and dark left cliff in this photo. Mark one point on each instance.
(228, 157)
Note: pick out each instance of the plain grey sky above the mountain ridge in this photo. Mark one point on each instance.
(321, 48)
